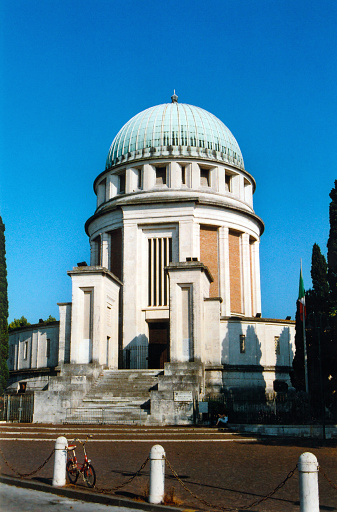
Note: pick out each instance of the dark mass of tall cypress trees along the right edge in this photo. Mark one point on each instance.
(321, 325)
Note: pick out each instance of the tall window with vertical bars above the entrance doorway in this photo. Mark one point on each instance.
(160, 255)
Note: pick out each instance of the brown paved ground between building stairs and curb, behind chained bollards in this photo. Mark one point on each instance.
(215, 468)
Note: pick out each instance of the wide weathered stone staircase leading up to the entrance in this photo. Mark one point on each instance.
(117, 397)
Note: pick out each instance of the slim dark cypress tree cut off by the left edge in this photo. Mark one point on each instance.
(3, 311)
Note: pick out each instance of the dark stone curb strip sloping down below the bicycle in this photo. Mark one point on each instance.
(88, 496)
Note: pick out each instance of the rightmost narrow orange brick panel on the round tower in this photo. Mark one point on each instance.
(235, 271)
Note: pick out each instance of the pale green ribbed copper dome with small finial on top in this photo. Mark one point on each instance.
(175, 129)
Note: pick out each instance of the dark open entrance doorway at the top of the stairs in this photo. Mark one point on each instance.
(158, 344)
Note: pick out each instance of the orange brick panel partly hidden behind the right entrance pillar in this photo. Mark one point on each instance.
(209, 255)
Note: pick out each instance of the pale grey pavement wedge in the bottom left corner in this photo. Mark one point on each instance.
(17, 495)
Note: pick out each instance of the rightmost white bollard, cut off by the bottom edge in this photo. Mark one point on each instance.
(308, 480)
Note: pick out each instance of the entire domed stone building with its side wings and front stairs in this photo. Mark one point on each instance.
(171, 299)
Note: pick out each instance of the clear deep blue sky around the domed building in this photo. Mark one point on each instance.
(75, 71)
